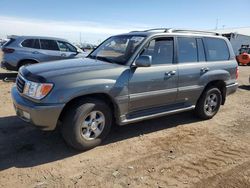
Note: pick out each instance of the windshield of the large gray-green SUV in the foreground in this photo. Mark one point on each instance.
(117, 49)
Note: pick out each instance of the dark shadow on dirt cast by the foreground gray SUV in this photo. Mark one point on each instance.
(22, 145)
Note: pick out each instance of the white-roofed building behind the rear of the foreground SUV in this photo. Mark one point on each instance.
(237, 37)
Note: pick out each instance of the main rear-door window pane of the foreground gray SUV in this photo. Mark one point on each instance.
(187, 50)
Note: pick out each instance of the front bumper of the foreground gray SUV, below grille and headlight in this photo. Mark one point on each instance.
(43, 116)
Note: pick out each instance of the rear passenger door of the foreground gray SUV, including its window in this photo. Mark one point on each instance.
(191, 65)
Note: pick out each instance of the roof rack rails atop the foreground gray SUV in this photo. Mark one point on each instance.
(170, 30)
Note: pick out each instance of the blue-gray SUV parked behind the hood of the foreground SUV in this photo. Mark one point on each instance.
(25, 50)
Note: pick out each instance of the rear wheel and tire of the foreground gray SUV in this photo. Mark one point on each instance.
(209, 103)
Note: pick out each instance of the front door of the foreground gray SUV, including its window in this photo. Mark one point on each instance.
(154, 86)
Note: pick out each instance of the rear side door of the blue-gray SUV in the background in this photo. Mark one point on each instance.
(50, 50)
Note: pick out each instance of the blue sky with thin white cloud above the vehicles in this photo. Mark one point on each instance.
(94, 20)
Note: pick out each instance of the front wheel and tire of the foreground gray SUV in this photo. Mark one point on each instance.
(83, 128)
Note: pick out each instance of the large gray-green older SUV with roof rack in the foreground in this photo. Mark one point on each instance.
(126, 79)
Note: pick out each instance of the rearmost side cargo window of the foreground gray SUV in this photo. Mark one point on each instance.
(217, 49)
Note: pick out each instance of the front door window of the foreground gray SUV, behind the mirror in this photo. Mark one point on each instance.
(161, 50)
